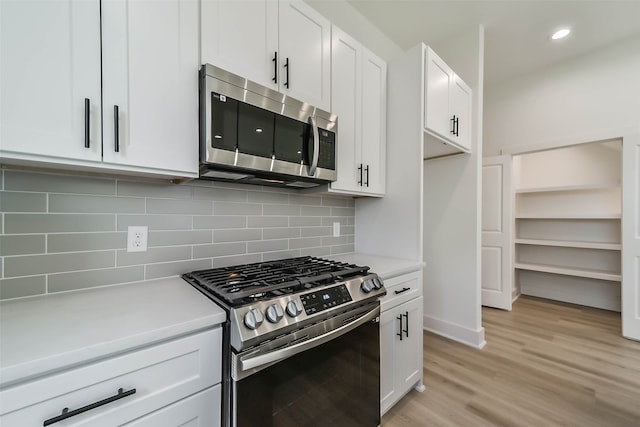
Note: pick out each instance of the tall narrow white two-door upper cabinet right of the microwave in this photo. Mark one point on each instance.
(358, 98)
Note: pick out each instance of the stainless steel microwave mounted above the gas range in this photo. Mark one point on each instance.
(252, 134)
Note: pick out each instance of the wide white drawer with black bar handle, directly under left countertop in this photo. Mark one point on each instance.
(160, 374)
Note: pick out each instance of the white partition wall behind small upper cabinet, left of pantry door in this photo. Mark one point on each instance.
(452, 213)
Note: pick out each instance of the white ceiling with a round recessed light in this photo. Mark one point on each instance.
(517, 32)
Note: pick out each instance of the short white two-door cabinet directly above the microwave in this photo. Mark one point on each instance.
(284, 45)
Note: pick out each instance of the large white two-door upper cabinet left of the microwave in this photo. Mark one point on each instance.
(51, 85)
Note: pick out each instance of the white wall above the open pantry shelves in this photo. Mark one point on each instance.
(596, 95)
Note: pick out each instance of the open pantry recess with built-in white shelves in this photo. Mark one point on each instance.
(567, 224)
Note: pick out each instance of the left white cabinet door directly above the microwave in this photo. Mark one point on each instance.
(241, 37)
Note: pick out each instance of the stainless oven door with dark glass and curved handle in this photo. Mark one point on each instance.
(332, 379)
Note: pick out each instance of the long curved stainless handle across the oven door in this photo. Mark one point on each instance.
(276, 356)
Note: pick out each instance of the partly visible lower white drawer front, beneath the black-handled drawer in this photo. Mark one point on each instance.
(202, 409)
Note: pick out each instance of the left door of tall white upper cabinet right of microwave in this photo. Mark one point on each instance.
(346, 99)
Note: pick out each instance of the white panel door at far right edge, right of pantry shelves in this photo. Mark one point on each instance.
(631, 237)
